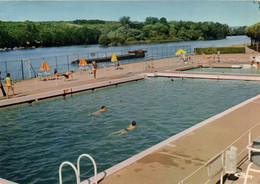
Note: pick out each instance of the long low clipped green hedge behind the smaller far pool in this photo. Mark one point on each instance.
(222, 50)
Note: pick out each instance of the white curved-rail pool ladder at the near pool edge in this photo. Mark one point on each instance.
(77, 170)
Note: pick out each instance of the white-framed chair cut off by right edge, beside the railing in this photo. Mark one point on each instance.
(254, 157)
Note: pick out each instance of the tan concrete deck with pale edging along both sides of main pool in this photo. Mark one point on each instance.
(173, 159)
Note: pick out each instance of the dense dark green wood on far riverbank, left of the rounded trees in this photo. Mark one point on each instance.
(45, 34)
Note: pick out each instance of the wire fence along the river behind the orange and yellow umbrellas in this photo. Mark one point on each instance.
(26, 68)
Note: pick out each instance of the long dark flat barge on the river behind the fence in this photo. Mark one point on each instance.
(132, 54)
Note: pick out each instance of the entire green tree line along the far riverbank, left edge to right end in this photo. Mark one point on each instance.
(107, 33)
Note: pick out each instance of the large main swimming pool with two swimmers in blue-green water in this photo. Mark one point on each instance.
(35, 139)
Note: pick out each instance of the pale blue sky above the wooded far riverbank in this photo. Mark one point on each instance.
(231, 12)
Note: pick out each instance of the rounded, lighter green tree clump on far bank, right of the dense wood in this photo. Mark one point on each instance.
(155, 30)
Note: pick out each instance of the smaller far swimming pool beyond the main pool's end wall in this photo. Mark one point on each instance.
(245, 70)
